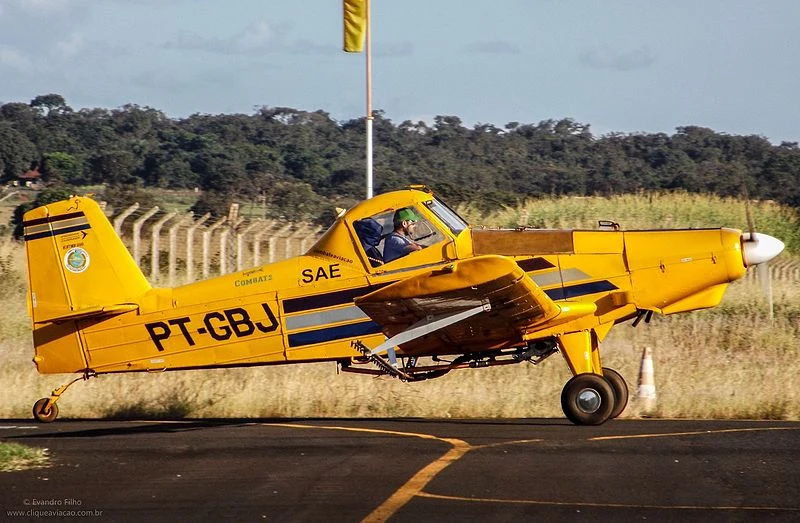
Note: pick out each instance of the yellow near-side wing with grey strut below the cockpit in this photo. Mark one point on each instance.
(502, 299)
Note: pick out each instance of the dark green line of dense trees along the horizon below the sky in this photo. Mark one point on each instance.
(296, 163)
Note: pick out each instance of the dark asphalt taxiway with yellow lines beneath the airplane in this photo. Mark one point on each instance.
(406, 470)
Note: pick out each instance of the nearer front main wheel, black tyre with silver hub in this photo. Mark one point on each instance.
(587, 399)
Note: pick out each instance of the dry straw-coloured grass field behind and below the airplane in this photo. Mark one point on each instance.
(727, 362)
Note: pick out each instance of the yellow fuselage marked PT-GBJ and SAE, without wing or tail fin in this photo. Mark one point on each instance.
(302, 309)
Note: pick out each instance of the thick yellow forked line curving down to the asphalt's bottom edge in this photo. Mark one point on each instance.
(412, 487)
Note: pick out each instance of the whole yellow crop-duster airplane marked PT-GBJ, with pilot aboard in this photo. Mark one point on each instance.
(399, 285)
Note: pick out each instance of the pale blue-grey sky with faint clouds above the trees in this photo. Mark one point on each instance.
(626, 66)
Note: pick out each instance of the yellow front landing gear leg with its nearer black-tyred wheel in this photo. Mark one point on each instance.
(587, 398)
